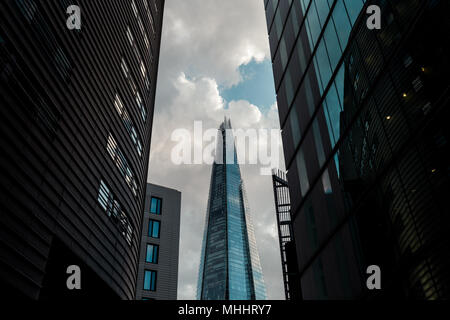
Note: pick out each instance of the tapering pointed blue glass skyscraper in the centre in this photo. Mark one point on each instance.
(229, 268)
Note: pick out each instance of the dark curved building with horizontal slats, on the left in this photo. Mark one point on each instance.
(76, 119)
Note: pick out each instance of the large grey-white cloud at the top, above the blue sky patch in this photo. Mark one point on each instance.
(214, 37)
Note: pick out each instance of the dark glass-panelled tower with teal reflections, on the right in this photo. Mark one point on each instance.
(366, 143)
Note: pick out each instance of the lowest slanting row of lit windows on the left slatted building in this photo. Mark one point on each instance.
(113, 209)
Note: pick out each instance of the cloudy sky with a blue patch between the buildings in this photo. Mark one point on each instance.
(214, 61)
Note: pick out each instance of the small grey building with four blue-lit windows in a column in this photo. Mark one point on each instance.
(160, 240)
